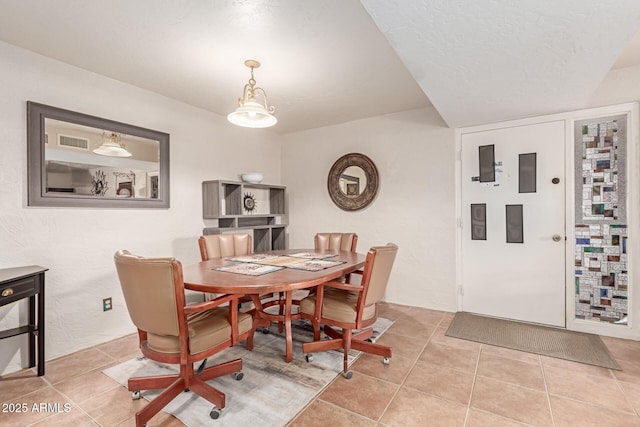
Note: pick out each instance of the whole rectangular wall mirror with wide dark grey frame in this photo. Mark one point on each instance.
(78, 160)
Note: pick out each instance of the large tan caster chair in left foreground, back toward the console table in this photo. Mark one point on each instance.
(170, 331)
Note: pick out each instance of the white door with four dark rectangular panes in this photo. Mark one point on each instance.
(523, 281)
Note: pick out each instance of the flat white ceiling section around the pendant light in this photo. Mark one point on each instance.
(323, 62)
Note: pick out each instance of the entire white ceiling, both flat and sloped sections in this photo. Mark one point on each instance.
(332, 61)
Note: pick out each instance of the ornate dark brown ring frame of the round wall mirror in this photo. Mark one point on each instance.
(350, 203)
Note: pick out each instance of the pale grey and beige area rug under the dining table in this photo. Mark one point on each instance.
(271, 392)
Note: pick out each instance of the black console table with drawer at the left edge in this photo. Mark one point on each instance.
(22, 282)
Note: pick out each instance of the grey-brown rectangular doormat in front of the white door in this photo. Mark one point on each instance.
(538, 339)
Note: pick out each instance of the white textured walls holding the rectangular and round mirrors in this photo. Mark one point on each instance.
(415, 208)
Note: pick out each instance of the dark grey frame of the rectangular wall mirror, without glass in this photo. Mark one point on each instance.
(37, 195)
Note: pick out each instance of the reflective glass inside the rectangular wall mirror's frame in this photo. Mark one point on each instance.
(73, 165)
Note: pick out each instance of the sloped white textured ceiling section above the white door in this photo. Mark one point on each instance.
(484, 61)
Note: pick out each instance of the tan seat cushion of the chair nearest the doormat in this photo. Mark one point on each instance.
(338, 305)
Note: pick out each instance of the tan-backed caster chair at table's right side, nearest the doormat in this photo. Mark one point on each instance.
(350, 307)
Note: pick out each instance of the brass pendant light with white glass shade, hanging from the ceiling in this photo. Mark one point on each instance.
(250, 113)
